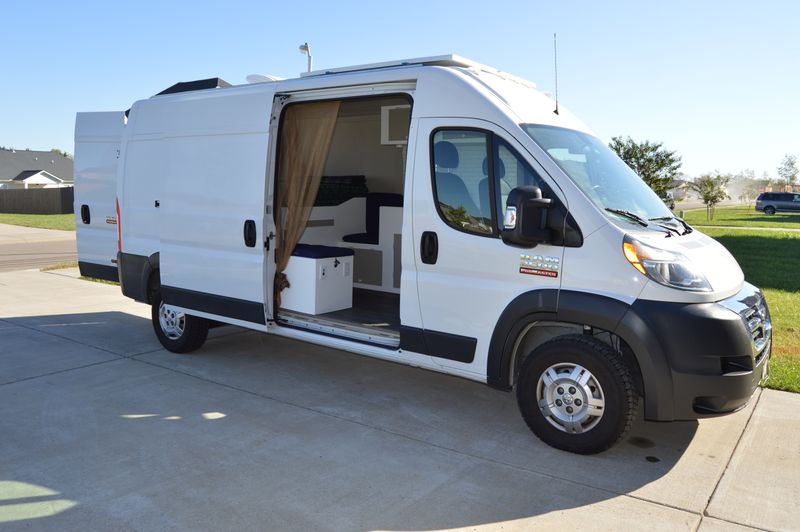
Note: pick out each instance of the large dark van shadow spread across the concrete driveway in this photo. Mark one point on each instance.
(261, 431)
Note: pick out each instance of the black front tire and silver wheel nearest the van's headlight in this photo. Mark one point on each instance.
(585, 375)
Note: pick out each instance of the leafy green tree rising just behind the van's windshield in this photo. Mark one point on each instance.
(657, 166)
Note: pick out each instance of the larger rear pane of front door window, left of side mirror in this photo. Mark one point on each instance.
(461, 184)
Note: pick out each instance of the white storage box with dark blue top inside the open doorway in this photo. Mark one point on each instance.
(320, 279)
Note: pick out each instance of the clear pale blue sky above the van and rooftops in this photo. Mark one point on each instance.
(717, 82)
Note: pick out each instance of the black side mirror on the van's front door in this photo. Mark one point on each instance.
(525, 224)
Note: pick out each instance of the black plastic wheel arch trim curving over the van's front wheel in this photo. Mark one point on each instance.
(584, 309)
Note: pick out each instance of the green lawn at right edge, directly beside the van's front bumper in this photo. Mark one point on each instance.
(770, 260)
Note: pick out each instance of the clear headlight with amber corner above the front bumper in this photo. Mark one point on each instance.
(664, 267)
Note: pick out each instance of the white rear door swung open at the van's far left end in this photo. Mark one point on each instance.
(97, 143)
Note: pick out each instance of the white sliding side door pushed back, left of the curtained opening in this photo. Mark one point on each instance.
(213, 231)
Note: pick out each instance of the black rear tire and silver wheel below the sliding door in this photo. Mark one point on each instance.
(177, 332)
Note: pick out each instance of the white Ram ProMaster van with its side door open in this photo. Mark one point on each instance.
(433, 212)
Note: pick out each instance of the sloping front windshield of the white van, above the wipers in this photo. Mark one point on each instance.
(600, 173)
